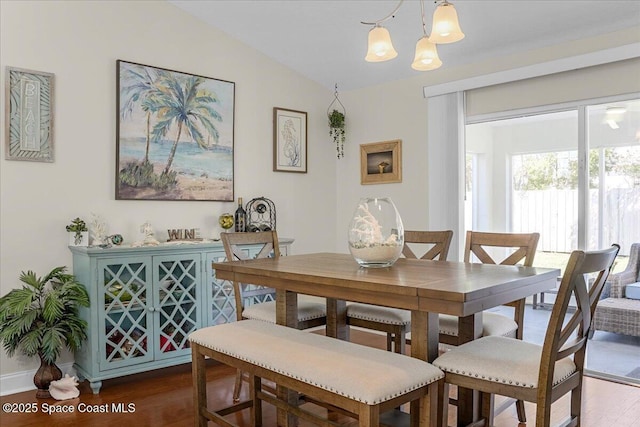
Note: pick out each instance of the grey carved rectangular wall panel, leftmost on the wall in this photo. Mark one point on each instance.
(29, 115)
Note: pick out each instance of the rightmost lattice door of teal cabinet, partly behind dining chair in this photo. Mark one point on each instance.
(221, 305)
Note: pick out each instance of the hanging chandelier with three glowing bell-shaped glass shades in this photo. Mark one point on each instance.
(445, 29)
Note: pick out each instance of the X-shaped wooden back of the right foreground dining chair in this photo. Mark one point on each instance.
(566, 338)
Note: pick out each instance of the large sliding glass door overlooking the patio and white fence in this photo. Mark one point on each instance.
(571, 173)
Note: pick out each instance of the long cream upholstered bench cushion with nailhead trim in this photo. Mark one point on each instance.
(361, 373)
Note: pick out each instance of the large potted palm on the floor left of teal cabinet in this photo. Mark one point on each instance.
(41, 318)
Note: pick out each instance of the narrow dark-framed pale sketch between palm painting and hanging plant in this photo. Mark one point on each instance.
(289, 140)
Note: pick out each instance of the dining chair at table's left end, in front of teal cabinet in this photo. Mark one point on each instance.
(259, 302)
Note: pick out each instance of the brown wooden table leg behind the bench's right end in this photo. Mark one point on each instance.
(424, 345)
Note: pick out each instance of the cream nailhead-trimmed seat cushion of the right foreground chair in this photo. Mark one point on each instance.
(501, 360)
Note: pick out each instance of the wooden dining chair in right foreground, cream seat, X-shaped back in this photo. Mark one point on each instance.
(530, 372)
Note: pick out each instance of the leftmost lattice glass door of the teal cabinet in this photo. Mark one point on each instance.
(125, 317)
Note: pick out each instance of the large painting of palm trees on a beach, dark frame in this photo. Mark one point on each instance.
(174, 136)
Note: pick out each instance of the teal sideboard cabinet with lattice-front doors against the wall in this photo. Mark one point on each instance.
(144, 304)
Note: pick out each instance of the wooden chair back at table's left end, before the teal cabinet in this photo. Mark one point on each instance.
(236, 247)
